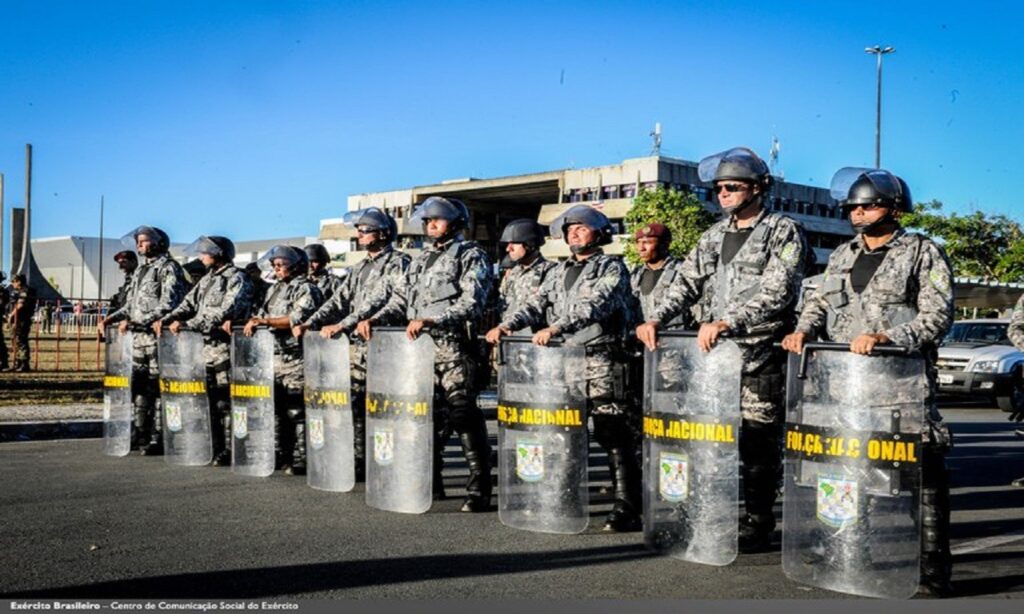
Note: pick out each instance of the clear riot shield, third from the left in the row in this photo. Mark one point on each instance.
(252, 404)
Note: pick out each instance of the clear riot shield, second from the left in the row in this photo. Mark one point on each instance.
(184, 401)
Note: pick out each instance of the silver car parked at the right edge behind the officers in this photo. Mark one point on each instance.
(976, 360)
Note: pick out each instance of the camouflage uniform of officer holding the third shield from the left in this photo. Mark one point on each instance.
(297, 298)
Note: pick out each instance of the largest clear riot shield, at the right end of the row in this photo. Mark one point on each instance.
(851, 509)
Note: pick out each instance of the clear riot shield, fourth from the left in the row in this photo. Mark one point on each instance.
(330, 452)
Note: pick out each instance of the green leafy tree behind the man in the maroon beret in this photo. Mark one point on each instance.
(681, 212)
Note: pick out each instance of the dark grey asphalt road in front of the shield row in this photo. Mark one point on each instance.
(77, 524)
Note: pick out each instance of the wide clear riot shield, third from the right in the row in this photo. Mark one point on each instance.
(542, 437)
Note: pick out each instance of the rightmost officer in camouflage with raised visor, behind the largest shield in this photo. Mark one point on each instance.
(885, 287)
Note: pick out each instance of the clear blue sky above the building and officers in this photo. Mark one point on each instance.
(259, 119)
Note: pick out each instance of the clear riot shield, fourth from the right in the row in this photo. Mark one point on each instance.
(400, 422)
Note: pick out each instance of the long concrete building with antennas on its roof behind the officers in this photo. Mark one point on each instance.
(494, 203)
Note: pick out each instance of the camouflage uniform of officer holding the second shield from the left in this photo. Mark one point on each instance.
(221, 296)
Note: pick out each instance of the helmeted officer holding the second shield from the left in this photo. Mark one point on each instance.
(220, 298)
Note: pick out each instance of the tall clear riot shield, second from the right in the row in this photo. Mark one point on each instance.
(692, 425)
